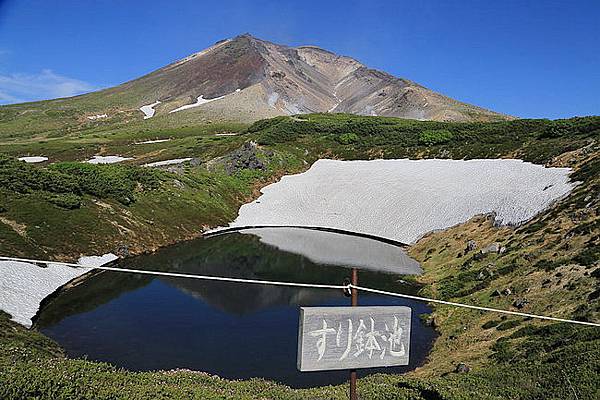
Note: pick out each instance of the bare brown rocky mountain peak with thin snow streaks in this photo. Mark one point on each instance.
(246, 79)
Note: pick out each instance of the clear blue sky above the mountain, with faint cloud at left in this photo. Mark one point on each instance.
(530, 58)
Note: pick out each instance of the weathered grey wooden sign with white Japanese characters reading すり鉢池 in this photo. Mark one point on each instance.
(353, 337)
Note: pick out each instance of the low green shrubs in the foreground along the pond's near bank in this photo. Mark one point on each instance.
(547, 362)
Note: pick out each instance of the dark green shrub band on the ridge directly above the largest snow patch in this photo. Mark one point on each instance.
(532, 140)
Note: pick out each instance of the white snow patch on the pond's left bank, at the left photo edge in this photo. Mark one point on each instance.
(24, 285)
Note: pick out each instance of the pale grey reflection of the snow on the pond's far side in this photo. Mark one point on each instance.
(339, 249)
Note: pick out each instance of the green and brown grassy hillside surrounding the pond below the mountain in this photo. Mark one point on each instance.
(551, 262)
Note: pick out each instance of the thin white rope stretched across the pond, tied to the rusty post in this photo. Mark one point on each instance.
(307, 285)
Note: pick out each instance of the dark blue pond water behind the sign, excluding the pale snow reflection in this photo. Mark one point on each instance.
(233, 330)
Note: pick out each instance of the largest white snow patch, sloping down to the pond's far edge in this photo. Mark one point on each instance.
(404, 199)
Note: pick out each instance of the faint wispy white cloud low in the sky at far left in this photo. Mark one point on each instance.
(16, 88)
